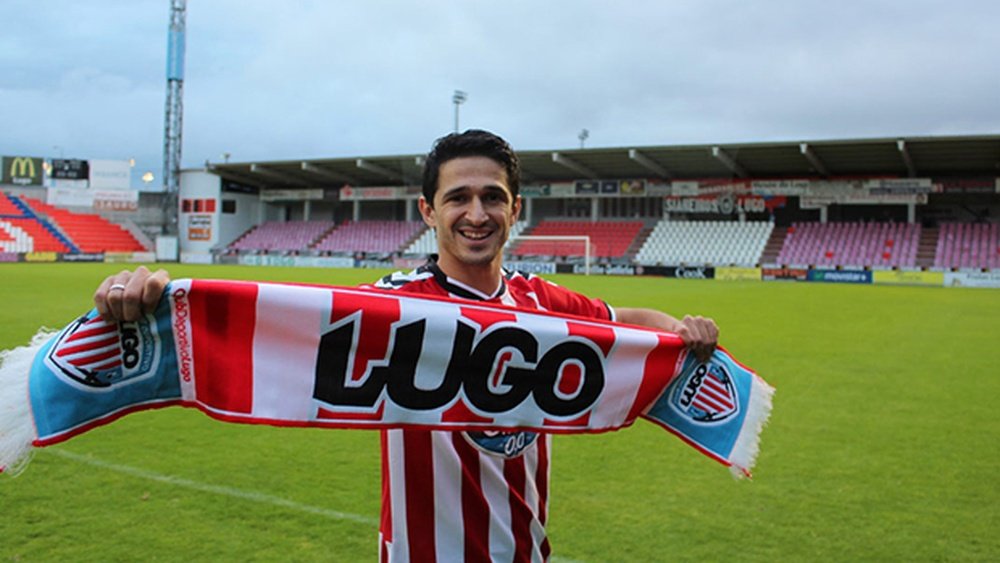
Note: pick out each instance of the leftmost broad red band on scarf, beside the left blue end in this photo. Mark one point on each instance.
(228, 384)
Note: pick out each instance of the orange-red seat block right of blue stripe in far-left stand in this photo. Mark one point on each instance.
(89, 232)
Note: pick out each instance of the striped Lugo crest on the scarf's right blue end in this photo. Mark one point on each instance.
(706, 395)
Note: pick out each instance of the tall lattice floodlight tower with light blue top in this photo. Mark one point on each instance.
(173, 116)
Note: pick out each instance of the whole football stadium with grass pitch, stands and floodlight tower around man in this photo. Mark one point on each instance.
(879, 340)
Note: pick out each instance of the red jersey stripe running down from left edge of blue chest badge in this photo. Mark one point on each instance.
(475, 511)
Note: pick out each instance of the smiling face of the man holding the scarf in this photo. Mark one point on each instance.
(473, 211)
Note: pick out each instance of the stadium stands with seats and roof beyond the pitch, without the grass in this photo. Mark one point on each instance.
(915, 211)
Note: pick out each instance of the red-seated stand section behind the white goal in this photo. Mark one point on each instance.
(608, 239)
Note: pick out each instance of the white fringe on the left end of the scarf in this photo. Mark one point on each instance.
(17, 429)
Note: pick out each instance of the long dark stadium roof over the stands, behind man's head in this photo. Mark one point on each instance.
(894, 157)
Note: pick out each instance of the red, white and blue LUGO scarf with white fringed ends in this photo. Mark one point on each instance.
(297, 355)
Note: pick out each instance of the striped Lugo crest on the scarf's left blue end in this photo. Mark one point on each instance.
(99, 354)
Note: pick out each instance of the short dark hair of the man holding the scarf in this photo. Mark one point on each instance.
(473, 142)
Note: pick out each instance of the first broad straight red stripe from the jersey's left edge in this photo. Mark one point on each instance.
(419, 470)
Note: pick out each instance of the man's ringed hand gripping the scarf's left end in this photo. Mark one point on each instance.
(127, 295)
